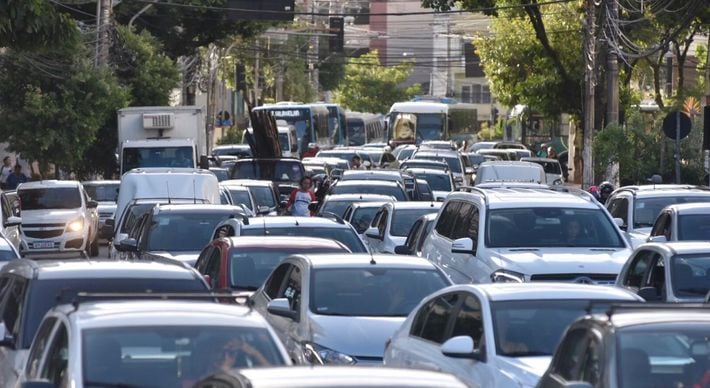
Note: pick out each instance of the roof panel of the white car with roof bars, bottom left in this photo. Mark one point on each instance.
(123, 313)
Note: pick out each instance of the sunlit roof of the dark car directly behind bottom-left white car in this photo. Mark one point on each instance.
(98, 269)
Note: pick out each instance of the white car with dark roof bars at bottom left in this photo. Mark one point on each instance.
(93, 343)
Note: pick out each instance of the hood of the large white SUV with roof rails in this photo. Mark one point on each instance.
(562, 260)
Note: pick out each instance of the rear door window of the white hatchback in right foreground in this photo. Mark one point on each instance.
(432, 321)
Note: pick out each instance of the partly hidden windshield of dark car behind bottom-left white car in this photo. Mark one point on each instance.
(47, 293)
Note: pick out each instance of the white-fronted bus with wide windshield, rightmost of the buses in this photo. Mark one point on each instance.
(416, 121)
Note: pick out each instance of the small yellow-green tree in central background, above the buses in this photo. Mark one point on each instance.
(370, 87)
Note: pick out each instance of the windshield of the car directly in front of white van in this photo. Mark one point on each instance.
(183, 231)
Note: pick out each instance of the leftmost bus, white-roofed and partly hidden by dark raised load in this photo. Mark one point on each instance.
(310, 121)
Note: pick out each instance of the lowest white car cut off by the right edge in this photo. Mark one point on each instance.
(670, 272)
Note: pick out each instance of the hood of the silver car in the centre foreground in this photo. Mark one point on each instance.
(354, 336)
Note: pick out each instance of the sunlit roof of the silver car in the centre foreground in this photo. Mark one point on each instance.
(358, 260)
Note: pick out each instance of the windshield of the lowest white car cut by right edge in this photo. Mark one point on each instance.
(690, 275)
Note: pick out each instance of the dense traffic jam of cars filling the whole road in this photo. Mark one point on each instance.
(441, 273)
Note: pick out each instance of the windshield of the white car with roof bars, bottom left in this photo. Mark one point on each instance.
(171, 356)
